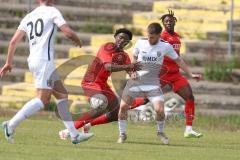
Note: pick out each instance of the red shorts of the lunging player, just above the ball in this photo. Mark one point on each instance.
(92, 89)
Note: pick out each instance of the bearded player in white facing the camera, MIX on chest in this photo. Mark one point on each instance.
(150, 53)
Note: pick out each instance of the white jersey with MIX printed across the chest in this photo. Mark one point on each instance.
(151, 57)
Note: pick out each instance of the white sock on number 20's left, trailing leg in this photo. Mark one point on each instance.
(27, 110)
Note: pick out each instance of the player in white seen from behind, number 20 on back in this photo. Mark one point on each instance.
(40, 25)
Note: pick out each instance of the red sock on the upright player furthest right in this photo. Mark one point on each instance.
(189, 112)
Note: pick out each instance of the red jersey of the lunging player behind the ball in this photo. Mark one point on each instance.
(97, 75)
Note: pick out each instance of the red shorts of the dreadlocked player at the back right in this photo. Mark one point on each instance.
(175, 80)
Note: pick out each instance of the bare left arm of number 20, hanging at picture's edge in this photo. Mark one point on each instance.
(17, 37)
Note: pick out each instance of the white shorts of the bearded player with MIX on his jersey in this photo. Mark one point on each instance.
(152, 92)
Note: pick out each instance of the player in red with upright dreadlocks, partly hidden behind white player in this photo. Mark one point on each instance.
(173, 77)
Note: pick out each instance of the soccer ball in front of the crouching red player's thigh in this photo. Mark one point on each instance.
(98, 101)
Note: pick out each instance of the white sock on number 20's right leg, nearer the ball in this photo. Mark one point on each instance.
(66, 117)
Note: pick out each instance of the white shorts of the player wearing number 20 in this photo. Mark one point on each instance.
(44, 73)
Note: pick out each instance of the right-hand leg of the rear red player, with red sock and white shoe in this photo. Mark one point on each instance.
(183, 89)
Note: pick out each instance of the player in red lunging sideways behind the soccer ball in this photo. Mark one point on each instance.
(110, 58)
